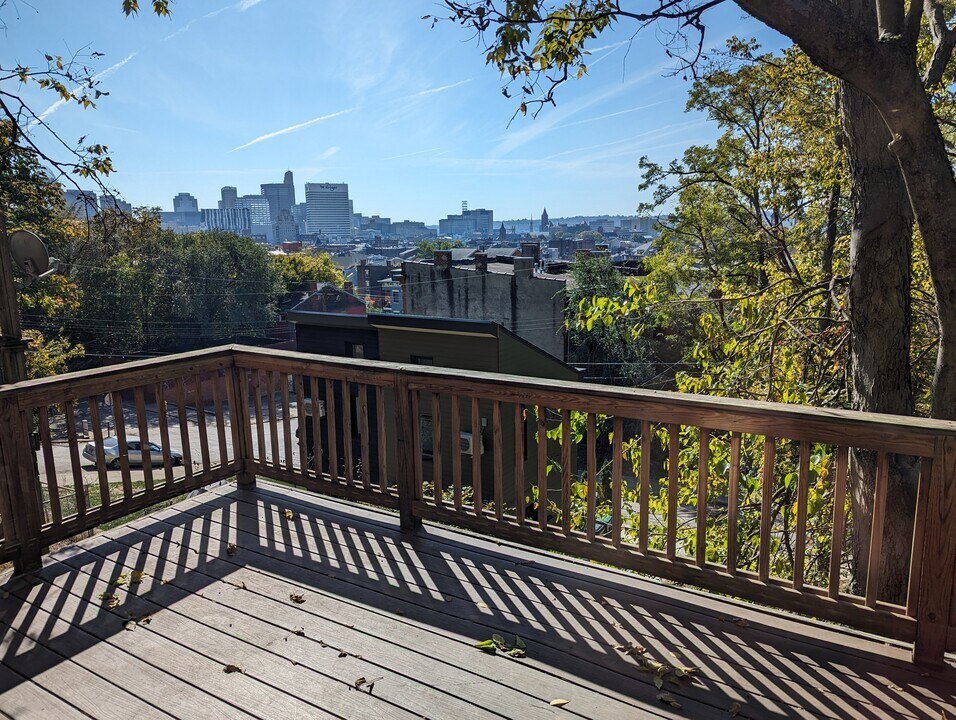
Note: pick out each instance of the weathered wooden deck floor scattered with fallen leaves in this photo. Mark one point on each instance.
(309, 604)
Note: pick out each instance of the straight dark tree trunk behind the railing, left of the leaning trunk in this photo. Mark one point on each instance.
(879, 309)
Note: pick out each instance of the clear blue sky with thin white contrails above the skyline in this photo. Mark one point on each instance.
(358, 91)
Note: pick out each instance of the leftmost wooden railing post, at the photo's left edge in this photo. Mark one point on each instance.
(18, 474)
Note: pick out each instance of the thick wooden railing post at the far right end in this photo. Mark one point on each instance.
(939, 549)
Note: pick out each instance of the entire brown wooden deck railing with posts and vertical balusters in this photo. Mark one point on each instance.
(743, 498)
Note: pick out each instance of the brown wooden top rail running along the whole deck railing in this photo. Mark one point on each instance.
(892, 433)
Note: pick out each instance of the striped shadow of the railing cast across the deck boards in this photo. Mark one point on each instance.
(574, 619)
